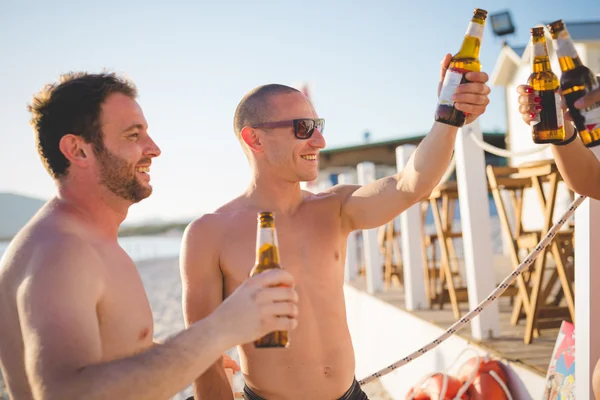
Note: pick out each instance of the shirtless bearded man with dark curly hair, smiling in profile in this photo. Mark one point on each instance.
(76, 321)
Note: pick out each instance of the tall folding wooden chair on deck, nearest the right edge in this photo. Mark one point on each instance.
(534, 287)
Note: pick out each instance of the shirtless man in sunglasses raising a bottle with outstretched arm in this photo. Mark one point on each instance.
(282, 135)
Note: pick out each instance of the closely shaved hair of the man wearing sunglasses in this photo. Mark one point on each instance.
(254, 107)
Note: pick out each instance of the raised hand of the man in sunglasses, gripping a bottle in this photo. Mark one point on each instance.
(471, 97)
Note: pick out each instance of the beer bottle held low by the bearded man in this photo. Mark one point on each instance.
(267, 257)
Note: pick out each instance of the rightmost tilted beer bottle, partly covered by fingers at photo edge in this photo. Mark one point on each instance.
(576, 80)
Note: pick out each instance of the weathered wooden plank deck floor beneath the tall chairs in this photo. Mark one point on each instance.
(508, 345)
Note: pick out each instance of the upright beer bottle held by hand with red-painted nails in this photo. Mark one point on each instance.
(548, 126)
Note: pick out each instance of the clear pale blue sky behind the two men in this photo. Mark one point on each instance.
(371, 66)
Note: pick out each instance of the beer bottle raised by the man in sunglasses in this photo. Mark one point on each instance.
(466, 60)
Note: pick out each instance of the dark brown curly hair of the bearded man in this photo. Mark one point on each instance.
(72, 106)
